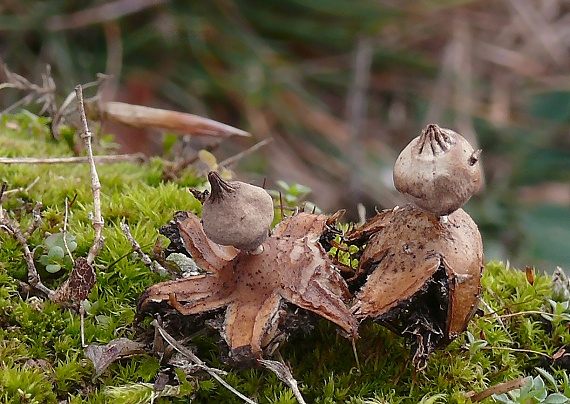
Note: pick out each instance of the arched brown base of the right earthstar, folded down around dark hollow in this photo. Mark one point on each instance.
(424, 275)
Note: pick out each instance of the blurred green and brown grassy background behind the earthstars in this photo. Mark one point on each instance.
(341, 86)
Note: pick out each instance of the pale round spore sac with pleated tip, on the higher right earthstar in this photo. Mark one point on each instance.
(438, 171)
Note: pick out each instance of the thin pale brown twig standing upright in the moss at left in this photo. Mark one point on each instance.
(97, 220)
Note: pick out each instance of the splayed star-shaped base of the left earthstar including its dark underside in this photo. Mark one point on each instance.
(254, 301)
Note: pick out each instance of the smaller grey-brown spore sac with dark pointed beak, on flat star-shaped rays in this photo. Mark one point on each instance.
(237, 214)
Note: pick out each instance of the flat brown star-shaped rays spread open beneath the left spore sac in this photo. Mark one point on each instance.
(292, 268)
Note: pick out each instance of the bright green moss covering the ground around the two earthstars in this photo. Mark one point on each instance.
(42, 360)
